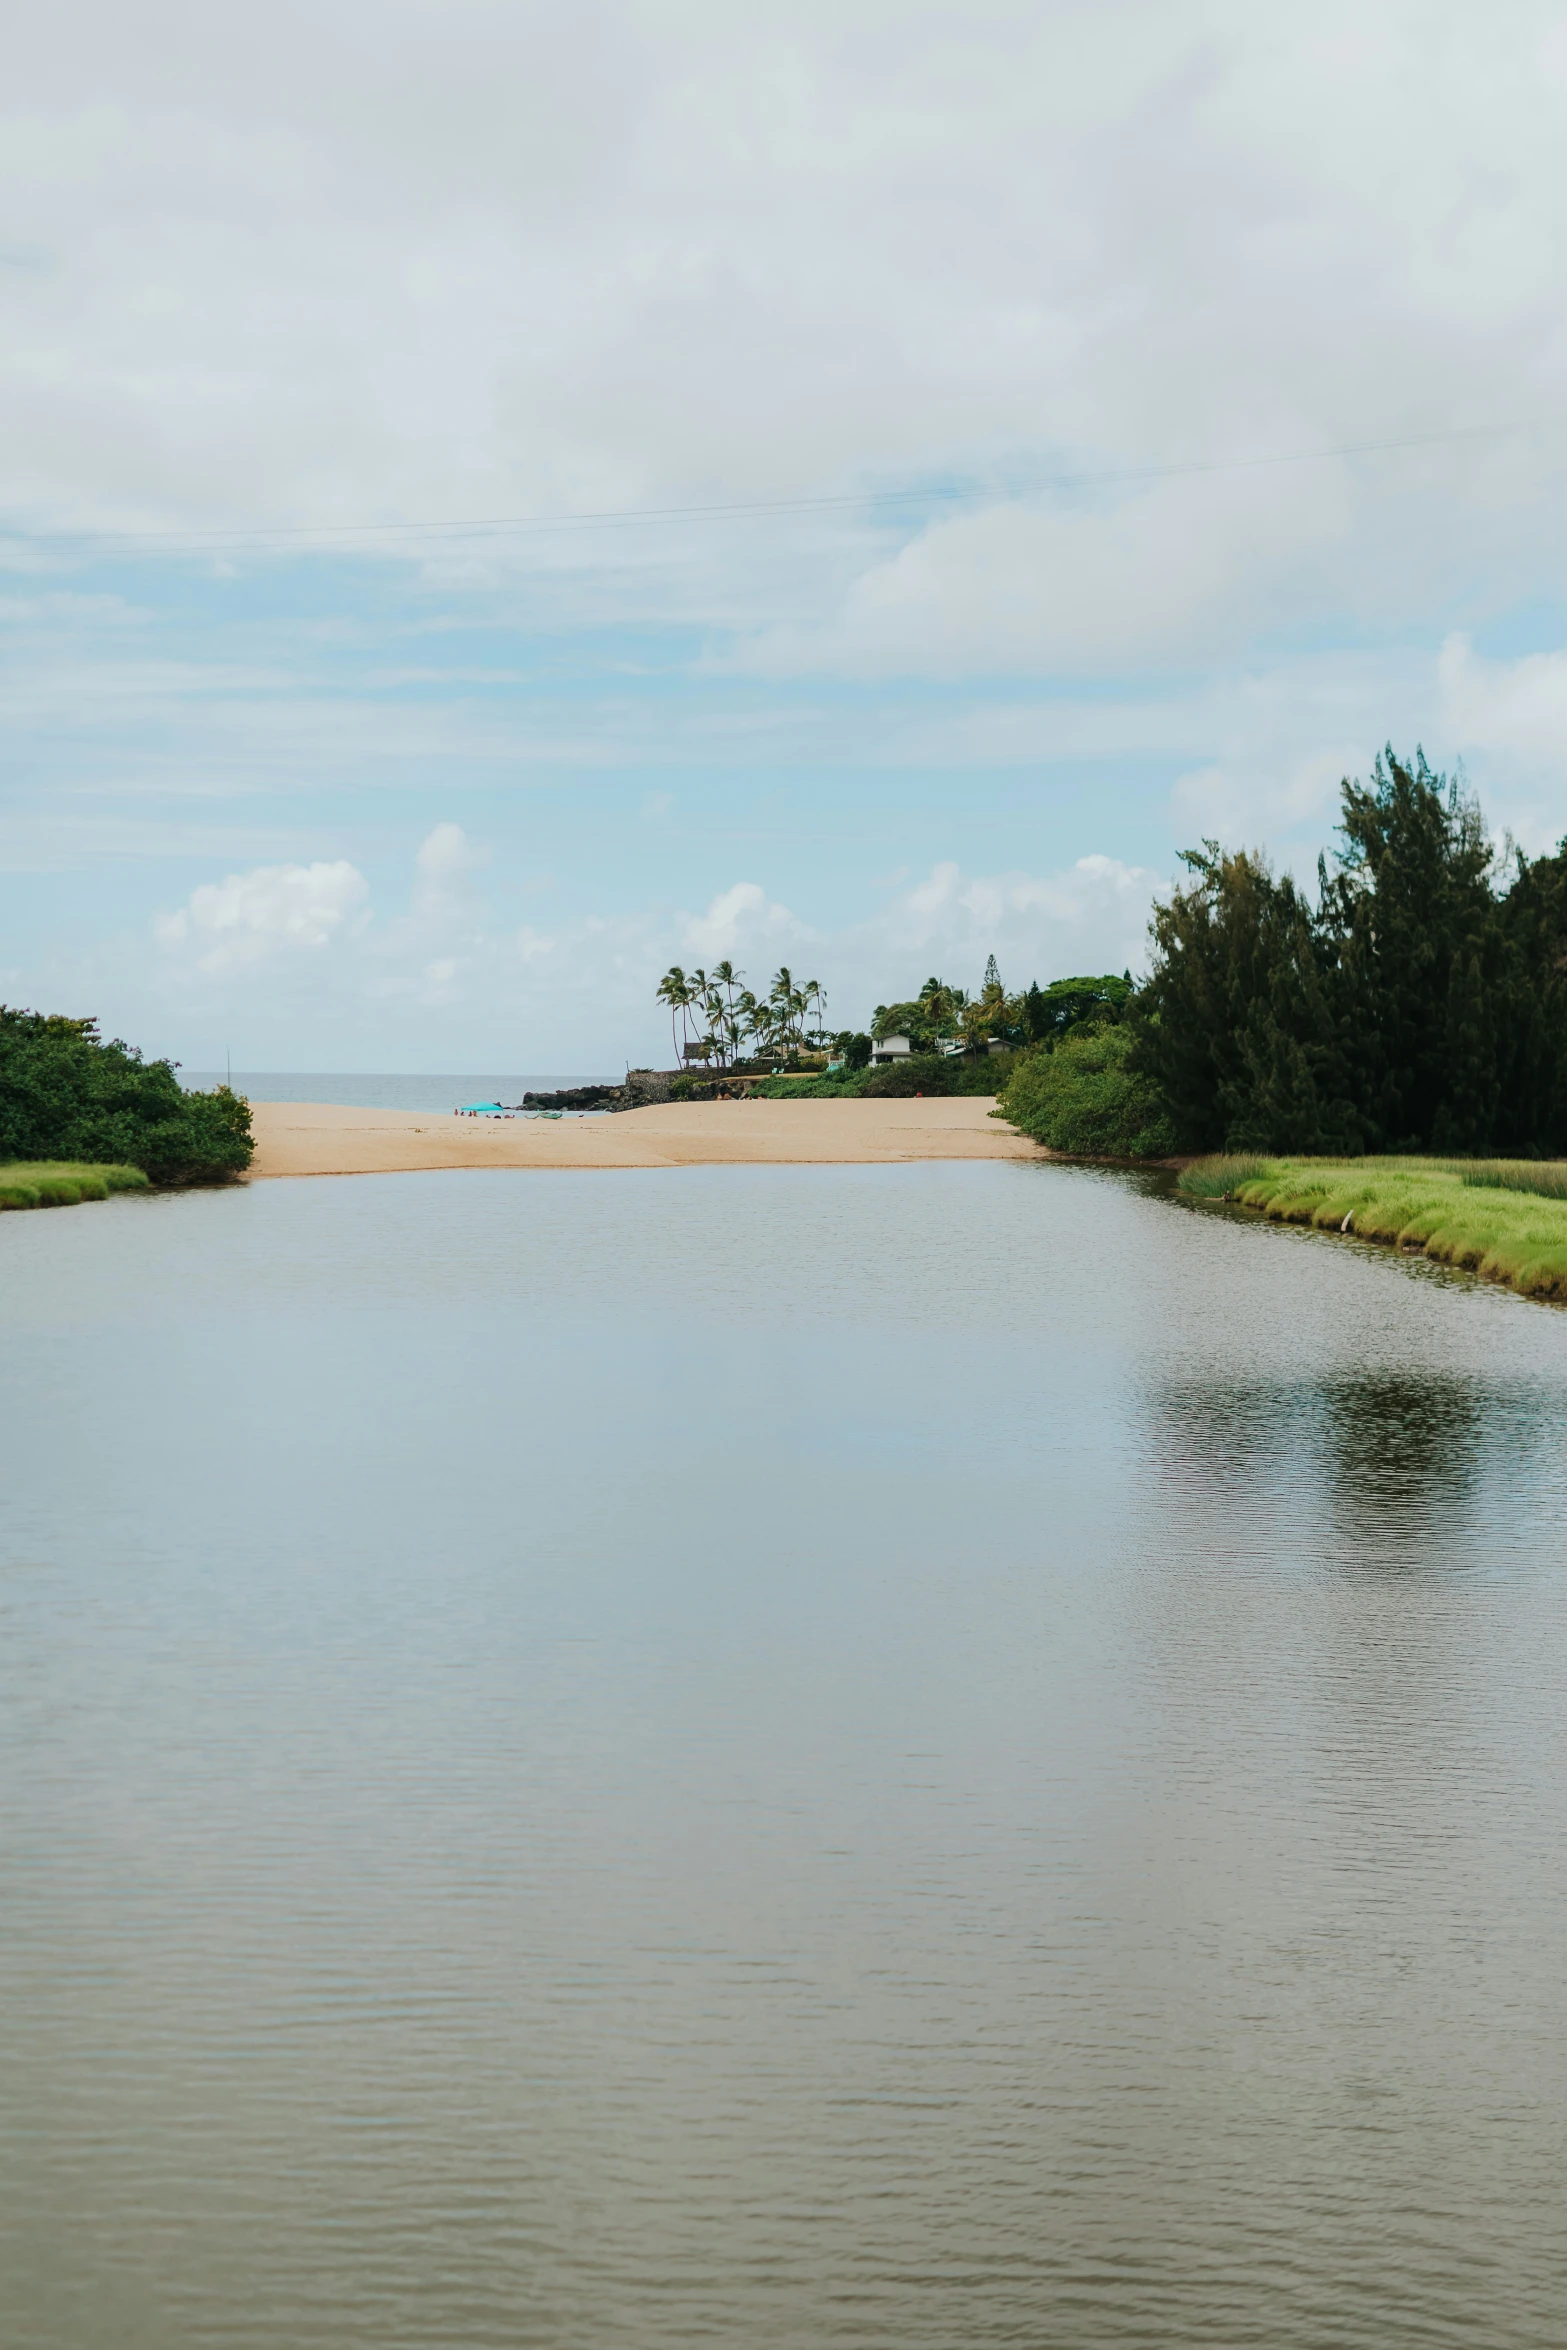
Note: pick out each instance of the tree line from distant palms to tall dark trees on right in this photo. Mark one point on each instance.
(1413, 1002)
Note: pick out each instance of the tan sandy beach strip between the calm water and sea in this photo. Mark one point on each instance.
(323, 1139)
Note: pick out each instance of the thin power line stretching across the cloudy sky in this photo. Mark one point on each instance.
(755, 509)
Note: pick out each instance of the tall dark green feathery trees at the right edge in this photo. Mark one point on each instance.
(1418, 1007)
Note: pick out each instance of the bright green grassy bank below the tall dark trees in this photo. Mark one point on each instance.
(1505, 1221)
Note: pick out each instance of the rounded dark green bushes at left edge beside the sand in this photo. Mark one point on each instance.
(65, 1094)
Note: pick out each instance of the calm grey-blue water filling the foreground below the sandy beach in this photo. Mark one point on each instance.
(882, 1757)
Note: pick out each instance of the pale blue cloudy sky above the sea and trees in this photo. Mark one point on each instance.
(499, 499)
